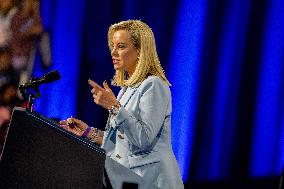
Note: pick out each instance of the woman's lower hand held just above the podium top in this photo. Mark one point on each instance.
(74, 126)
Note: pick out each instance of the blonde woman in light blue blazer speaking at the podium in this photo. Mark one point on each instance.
(138, 131)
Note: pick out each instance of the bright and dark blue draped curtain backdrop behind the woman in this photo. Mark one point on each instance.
(225, 60)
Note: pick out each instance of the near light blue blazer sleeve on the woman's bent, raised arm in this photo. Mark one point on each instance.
(142, 128)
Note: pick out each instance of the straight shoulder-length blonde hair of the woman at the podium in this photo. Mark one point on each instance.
(143, 39)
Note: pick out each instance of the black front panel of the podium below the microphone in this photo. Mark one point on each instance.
(39, 154)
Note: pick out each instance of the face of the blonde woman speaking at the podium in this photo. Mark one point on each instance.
(124, 54)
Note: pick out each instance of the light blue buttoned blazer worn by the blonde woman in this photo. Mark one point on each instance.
(139, 137)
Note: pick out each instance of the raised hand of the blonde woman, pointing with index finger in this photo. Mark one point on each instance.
(103, 96)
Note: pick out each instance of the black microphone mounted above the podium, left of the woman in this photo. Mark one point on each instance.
(47, 78)
